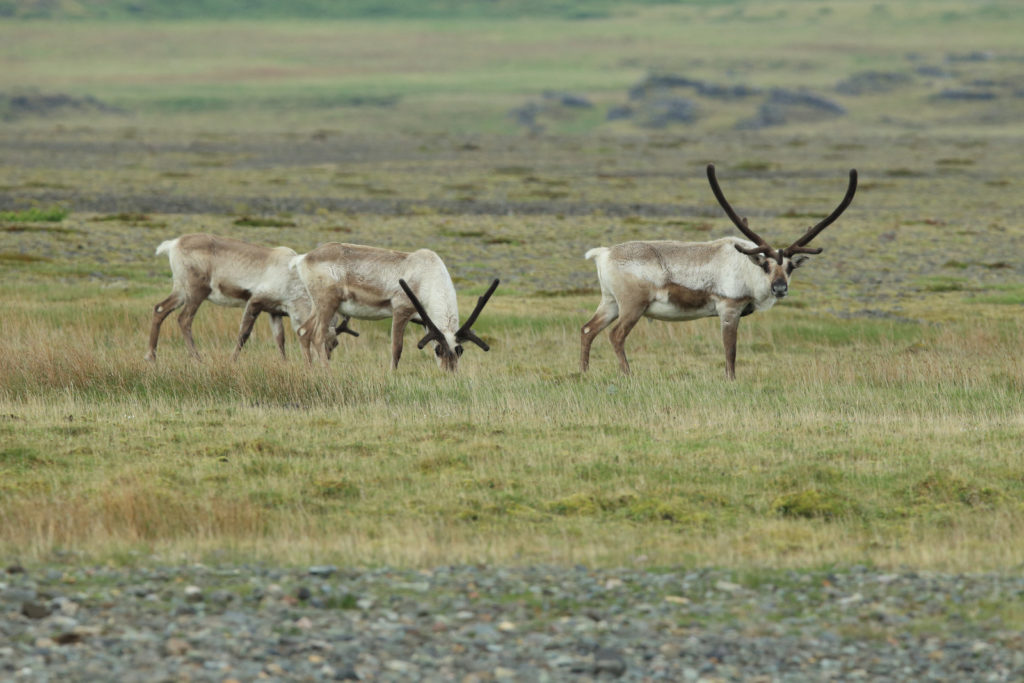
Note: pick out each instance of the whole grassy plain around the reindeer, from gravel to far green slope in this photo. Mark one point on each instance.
(878, 414)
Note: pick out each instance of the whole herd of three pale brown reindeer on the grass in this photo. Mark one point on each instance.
(320, 292)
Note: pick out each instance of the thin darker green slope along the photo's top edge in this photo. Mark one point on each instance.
(260, 10)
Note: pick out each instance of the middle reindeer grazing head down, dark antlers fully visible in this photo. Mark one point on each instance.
(373, 284)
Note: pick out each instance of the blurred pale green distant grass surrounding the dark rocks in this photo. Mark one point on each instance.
(310, 72)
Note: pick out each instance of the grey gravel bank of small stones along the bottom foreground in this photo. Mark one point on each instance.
(488, 624)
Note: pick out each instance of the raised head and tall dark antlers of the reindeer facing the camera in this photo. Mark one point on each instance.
(779, 265)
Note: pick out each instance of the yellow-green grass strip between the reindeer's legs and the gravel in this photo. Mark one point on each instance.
(846, 456)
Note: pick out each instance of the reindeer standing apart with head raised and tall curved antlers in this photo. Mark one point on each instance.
(684, 281)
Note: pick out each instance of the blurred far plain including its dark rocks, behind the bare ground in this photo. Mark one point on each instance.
(519, 67)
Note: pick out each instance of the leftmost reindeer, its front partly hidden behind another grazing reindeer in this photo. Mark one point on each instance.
(231, 273)
